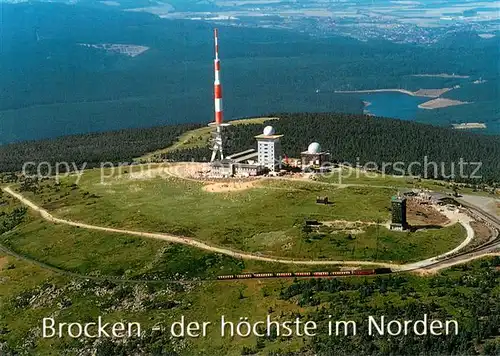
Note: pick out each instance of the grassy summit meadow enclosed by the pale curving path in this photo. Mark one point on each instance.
(268, 219)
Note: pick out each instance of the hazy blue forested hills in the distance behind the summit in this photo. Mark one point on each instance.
(54, 86)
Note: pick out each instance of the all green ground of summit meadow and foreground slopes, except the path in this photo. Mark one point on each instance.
(76, 275)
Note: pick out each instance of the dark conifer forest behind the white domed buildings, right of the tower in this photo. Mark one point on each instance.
(359, 139)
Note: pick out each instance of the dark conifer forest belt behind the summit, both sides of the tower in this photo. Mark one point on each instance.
(352, 139)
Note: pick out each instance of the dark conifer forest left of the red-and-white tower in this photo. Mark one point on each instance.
(90, 149)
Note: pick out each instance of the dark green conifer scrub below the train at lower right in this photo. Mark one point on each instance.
(469, 297)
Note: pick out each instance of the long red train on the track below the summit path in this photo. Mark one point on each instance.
(357, 272)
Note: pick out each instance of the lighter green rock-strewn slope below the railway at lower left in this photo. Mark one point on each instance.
(30, 293)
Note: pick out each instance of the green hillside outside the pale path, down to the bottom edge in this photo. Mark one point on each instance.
(40, 284)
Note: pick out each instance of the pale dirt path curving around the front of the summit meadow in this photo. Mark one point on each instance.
(236, 254)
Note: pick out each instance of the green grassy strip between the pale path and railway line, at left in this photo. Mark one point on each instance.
(80, 252)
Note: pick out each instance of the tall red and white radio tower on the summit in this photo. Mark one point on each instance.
(218, 123)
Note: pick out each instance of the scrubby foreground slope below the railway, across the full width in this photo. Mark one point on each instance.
(466, 293)
